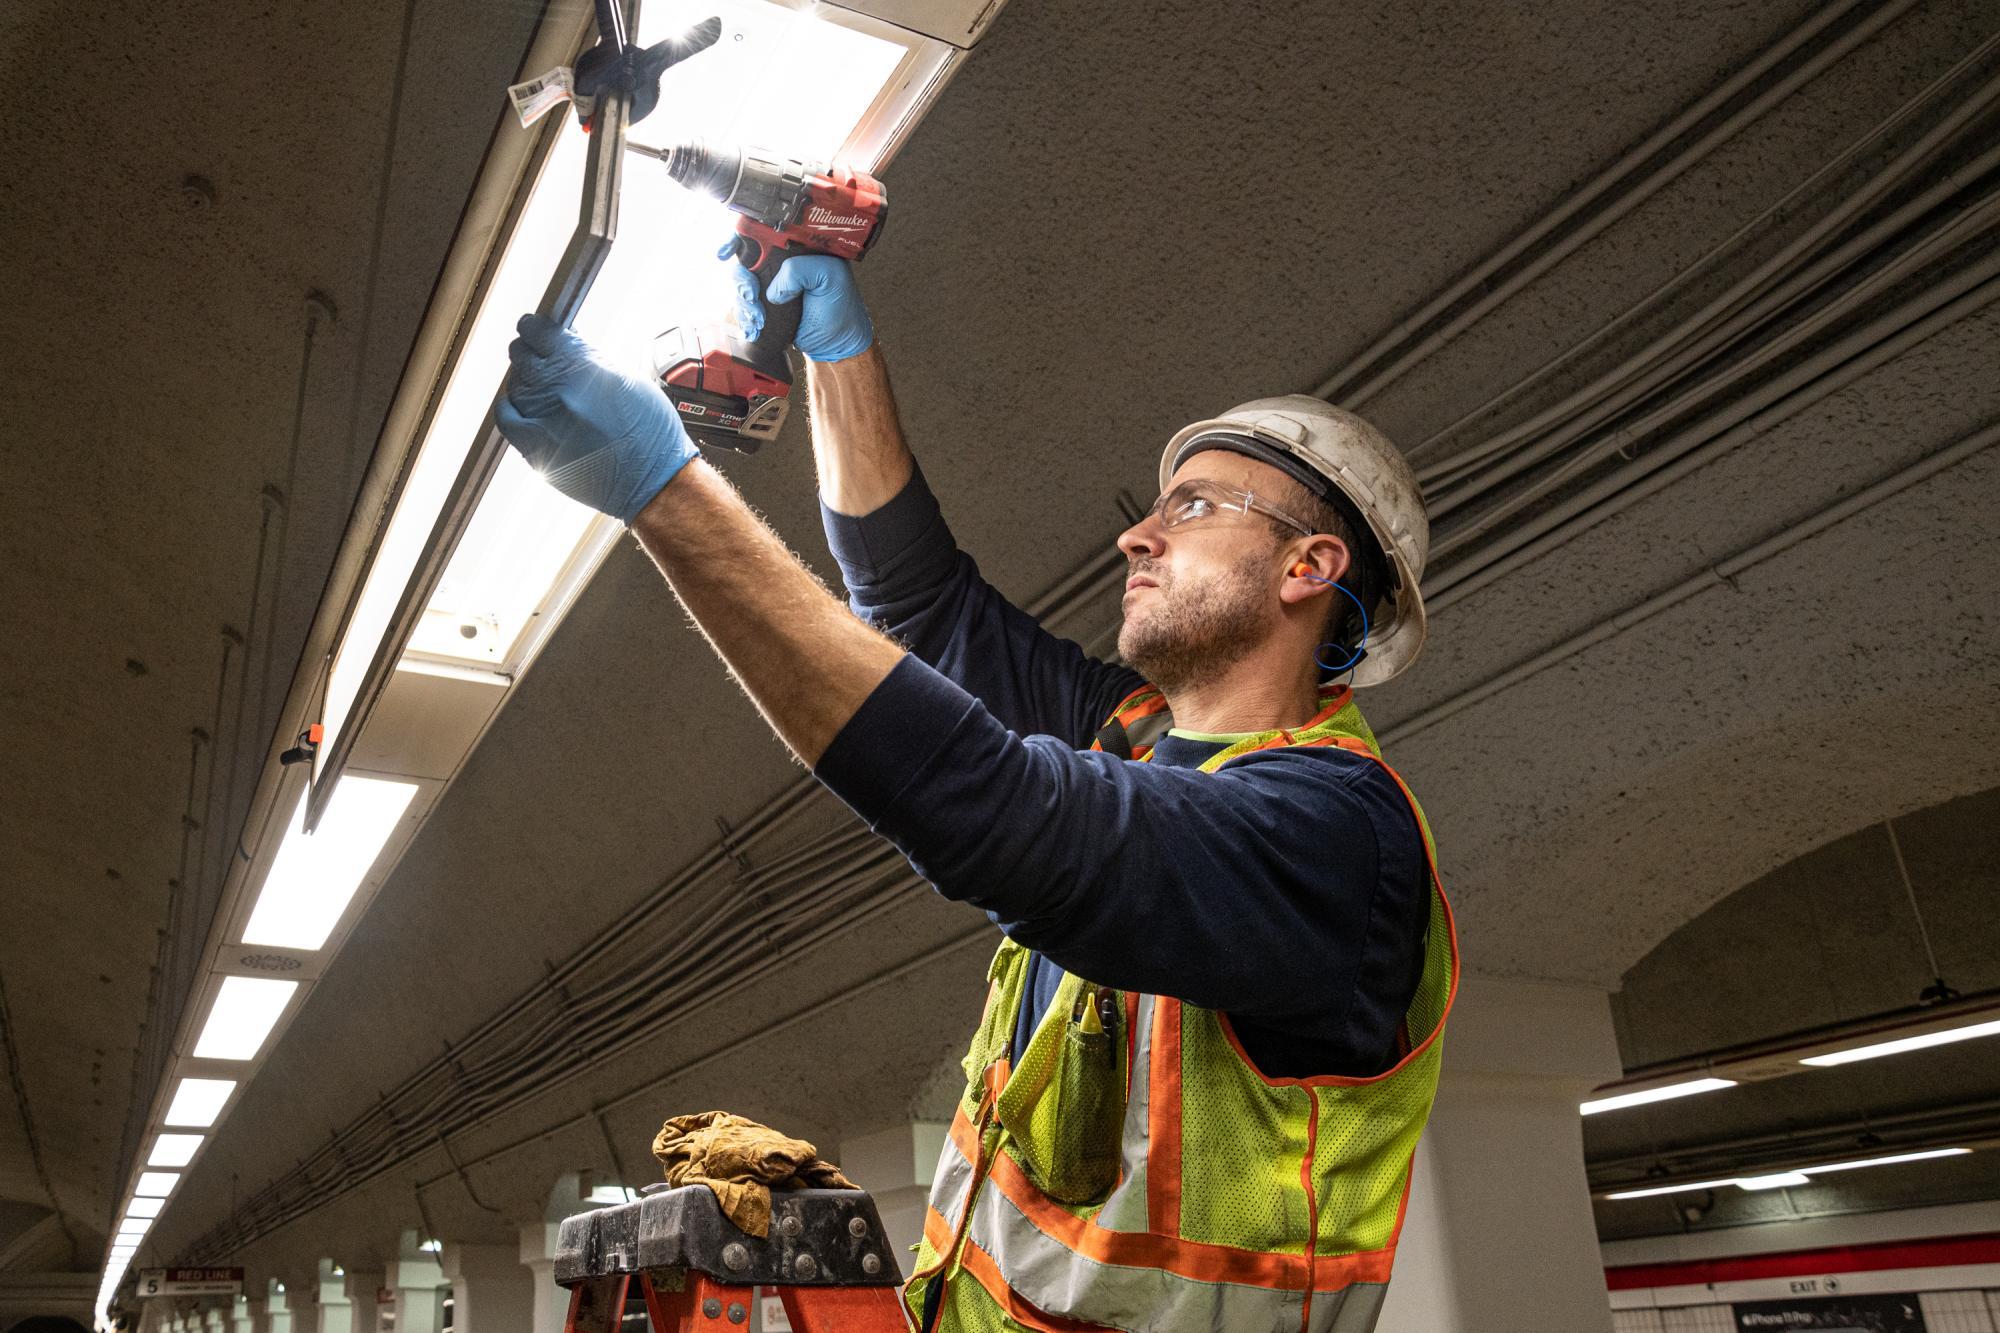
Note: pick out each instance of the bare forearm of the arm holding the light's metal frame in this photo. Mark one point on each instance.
(799, 653)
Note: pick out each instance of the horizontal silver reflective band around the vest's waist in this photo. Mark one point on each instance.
(1139, 1300)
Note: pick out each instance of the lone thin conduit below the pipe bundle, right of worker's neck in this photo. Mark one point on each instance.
(1719, 575)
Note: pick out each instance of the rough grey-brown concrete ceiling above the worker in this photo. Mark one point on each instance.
(1101, 233)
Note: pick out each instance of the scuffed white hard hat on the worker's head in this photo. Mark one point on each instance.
(1323, 447)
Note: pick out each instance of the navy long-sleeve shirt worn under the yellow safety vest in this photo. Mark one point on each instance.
(1289, 890)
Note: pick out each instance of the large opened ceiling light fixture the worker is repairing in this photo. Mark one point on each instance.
(479, 559)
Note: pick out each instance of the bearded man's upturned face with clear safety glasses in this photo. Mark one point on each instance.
(1203, 595)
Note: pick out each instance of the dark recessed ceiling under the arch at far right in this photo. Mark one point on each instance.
(1829, 938)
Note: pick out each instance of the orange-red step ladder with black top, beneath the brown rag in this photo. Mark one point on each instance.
(827, 1258)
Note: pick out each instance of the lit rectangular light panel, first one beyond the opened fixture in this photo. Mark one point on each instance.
(317, 874)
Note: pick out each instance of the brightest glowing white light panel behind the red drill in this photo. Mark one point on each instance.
(785, 79)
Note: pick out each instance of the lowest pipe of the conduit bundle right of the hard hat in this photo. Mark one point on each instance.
(1783, 397)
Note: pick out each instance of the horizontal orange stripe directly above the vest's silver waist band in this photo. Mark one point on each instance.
(1195, 1260)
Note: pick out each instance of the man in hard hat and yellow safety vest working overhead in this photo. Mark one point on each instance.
(1211, 1036)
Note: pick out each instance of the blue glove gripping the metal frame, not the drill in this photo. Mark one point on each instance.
(595, 433)
